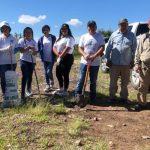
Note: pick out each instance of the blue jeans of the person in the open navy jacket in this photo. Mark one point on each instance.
(48, 68)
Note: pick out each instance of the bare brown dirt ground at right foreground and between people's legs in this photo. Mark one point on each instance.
(122, 128)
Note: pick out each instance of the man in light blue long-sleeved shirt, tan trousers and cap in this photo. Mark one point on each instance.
(120, 54)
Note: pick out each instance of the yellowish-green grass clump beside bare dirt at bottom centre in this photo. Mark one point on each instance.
(76, 126)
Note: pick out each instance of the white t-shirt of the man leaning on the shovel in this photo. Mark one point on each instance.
(91, 43)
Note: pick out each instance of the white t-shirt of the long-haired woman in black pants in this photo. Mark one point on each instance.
(65, 42)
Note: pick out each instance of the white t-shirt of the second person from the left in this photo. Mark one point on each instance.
(27, 56)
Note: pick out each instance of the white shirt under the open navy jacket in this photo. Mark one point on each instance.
(47, 45)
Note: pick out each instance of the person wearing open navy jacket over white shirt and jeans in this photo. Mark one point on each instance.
(45, 47)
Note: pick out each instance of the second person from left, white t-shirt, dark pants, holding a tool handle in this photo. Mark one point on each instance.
(28, 49)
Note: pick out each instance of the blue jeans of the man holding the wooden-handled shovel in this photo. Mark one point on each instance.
(93, 79)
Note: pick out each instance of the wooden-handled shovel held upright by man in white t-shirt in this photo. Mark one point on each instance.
(81, 100)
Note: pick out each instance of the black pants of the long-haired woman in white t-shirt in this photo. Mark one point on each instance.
(63, 70)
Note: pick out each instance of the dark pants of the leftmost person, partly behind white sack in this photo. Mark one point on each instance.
(3, 69)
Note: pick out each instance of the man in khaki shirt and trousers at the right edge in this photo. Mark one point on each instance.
(142, 65)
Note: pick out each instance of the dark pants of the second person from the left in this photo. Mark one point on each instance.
(27, 71)
